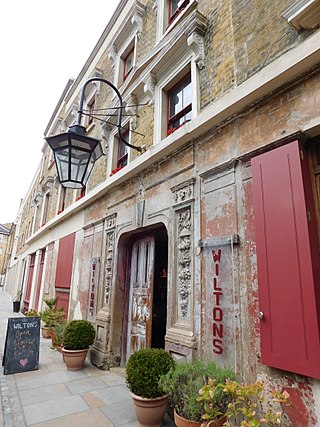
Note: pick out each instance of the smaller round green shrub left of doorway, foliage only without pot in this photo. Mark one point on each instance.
(78, 335)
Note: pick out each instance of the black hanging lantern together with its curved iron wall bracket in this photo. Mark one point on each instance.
(74, 152)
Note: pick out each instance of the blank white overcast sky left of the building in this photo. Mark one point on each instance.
(43, 44)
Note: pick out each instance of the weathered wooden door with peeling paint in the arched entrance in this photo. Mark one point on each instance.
(141, 295)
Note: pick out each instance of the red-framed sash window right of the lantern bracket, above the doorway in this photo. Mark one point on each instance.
(179, 104)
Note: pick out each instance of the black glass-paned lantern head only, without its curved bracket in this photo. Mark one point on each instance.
(74, 154)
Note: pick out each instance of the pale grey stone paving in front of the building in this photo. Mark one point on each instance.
(52, 396)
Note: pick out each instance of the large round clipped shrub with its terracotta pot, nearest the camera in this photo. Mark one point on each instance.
(143, 371)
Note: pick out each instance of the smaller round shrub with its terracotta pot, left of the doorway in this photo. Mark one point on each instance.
(77, 337)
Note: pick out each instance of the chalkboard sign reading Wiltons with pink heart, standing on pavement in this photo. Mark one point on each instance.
(21, 351)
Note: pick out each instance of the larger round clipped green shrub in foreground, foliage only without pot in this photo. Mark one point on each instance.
(143, 371)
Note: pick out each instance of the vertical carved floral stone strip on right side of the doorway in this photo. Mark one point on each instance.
(184, 260)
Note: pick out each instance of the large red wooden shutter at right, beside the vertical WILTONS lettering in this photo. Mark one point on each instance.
(286, 259)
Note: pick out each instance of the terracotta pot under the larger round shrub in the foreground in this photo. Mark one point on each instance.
(150, 412)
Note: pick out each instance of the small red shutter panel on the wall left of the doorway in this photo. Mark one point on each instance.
(65, 261)
